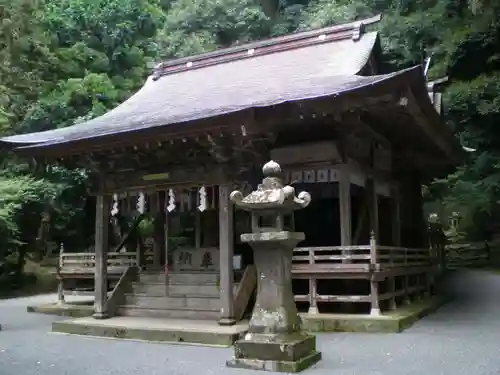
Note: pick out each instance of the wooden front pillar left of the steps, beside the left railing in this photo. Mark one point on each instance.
(101, 257)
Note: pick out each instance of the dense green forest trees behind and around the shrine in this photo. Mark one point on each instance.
(66, 61)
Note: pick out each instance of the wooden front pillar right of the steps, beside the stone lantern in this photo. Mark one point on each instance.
(226, 256)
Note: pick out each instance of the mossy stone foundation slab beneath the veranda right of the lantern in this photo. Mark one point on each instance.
(391, 322)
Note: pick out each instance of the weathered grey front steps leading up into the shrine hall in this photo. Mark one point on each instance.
(189, 295)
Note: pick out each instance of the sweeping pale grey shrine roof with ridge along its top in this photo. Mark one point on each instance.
(306, 65)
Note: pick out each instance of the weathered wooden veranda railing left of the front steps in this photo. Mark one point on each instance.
(74, 267)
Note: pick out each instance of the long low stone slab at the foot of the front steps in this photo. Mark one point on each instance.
(179, 331)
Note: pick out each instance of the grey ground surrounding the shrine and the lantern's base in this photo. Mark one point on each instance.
(462, 338)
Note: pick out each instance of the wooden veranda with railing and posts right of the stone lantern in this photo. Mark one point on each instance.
(371, 262)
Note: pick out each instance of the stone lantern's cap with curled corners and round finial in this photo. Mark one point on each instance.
(271, 194)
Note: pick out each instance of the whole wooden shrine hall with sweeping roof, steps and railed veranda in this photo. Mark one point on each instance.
(361, 141)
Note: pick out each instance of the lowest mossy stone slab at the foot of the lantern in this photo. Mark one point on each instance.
(276, 366)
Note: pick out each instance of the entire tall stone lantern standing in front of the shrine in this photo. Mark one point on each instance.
(274, 341)
